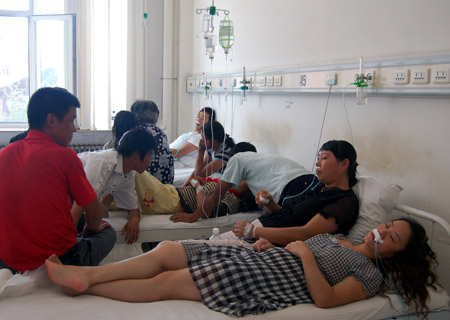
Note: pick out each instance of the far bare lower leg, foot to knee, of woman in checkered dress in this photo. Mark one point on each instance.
(166, 256)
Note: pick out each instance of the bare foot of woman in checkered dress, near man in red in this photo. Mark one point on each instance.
(71, 278)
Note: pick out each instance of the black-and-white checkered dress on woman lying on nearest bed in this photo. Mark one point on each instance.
(239, 281)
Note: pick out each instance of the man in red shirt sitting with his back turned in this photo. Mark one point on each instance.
(40, 179)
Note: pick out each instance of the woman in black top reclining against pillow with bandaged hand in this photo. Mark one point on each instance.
(324, 203)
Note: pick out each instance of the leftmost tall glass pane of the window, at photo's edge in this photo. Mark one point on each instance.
(14, 91)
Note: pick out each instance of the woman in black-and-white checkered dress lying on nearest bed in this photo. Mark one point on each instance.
(326, 270)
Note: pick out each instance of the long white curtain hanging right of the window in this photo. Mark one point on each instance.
(120, 59)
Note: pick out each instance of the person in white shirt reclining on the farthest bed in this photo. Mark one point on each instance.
(185, 147)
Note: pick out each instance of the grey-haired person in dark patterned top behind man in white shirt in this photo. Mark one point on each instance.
(161, 166)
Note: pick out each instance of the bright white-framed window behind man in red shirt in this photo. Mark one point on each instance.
(35, 51)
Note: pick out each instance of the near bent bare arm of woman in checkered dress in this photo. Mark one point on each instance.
(323, 294)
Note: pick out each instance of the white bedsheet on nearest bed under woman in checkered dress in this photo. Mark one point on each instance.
(48, 303)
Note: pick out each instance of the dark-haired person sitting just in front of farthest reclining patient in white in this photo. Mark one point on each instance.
(218, 146)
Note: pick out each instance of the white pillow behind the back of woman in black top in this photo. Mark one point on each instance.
(376, 200)
